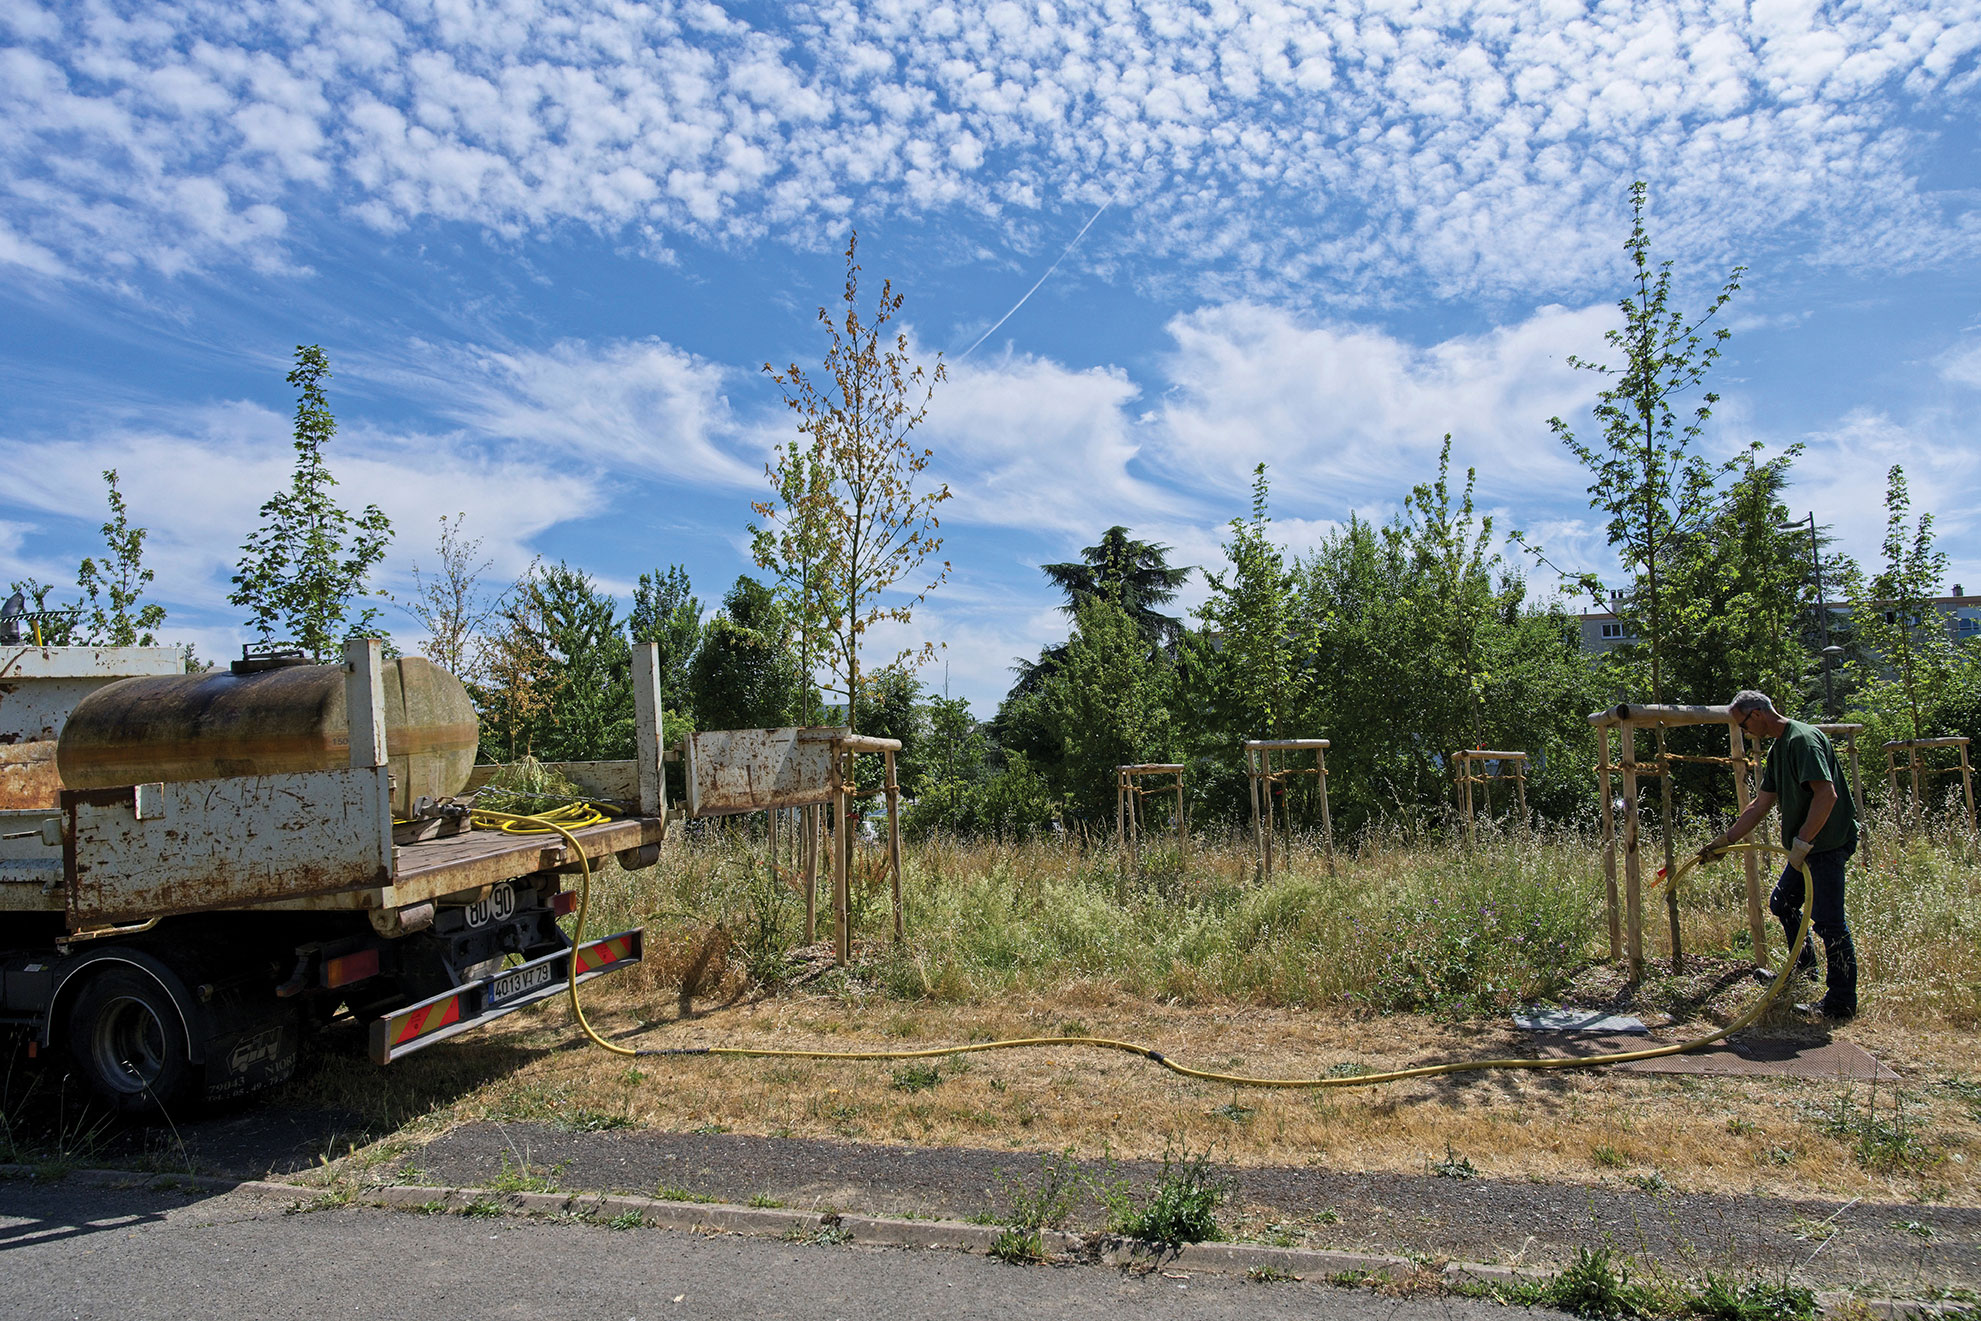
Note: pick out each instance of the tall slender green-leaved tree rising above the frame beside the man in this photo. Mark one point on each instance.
(1647, 474)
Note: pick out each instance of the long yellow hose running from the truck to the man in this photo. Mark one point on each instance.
(558, 823)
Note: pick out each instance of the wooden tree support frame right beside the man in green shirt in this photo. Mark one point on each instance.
(1627, 928)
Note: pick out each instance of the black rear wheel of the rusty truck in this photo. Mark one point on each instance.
(128, 1043)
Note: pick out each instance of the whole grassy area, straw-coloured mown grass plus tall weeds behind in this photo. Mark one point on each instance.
(1045, 942)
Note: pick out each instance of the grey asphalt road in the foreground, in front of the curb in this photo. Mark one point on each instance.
(78, 1251)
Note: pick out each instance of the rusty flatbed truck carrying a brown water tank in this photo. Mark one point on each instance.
(201, 868)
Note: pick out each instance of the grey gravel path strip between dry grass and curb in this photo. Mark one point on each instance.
(1863, 1245)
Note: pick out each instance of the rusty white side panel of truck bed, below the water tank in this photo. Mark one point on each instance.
(152, 851)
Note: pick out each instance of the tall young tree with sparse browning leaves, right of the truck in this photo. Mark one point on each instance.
(879, 530)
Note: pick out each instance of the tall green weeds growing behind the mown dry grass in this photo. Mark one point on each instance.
(1404, 922)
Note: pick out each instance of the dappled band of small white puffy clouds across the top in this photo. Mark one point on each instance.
(1465, 148)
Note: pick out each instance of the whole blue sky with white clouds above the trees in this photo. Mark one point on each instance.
(550, 251)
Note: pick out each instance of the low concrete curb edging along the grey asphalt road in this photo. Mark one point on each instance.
(1263, 1261)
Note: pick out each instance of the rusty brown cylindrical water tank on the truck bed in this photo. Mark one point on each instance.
(272, 722)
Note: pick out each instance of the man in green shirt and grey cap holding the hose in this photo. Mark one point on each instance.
(1818, 827)
